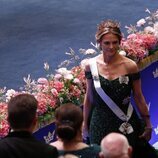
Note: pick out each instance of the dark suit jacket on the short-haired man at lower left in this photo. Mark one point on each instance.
(24, 145)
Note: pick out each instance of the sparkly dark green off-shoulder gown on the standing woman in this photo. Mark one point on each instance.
(103, 121)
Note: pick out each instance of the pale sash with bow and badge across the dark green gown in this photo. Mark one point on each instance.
(125, 127)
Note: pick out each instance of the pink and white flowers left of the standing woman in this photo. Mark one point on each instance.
(50, 91)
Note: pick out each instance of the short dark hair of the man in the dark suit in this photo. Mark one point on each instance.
(21, 111)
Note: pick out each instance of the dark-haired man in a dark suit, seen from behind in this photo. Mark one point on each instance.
(20, 143)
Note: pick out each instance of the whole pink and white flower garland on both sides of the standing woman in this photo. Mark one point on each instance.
(66, 85)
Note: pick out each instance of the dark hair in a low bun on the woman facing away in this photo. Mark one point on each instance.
(69, 120)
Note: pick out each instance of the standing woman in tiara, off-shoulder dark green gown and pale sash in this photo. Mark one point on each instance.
(111, 79)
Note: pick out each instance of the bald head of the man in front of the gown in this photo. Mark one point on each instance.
(115, 145)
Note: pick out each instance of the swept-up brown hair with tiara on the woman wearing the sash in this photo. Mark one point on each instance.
(108, 26)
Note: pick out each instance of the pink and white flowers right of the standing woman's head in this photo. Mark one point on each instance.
(142, 40)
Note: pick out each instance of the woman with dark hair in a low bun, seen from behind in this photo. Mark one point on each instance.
(69, 119)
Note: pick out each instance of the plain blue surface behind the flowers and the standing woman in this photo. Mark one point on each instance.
(35, 31)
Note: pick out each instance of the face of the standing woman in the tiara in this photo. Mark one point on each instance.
(109, 44)
